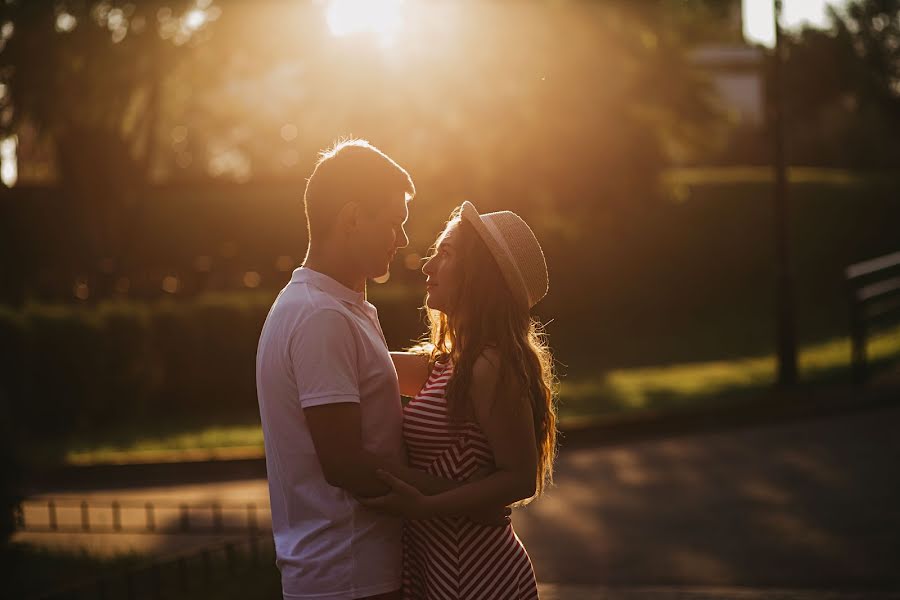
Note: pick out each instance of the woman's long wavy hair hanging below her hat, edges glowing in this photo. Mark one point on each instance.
(486, 315)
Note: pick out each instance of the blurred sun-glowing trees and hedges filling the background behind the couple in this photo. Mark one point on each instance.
(163, 148)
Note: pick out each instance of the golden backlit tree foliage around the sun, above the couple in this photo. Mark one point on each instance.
(567, 111)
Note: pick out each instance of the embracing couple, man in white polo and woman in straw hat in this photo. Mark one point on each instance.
(370, 498)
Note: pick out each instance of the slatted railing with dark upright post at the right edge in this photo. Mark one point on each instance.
(874, 290)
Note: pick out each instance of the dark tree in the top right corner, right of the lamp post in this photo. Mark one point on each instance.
(847, 114)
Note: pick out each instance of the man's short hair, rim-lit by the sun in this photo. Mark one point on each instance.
(351, 170)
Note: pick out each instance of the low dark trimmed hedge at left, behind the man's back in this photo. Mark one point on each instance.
(78, 369)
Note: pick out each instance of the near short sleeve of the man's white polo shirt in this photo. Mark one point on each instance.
(324, 361)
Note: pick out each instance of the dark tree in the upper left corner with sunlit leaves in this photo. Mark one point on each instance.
(87, 77)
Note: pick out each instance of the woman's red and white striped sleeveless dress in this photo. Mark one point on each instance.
(454, 558)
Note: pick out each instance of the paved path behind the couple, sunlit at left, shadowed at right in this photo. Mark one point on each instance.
(745, 514)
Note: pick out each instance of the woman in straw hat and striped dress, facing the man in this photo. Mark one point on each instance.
(484, 402)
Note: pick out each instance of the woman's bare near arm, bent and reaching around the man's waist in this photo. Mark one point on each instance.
(505, 417)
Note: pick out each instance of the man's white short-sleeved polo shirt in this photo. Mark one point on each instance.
(322, 344)
